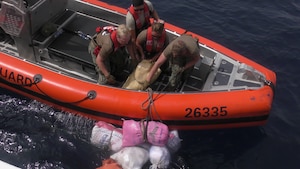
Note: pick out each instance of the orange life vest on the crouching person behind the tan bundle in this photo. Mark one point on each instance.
(149, 41)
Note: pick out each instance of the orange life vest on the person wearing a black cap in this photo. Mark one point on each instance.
(138, 24)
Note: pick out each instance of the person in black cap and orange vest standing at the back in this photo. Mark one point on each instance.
(138, 19)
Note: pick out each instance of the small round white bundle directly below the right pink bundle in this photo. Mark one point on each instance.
(159, 157)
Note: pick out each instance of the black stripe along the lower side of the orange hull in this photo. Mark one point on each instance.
(167, 122)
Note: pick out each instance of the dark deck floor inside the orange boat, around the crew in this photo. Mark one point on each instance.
(69, 50)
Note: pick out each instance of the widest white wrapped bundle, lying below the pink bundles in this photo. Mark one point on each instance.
(131, 157)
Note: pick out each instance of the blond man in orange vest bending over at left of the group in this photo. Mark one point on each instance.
(108, 52)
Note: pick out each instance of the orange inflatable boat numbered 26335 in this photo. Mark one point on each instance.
(225, 89)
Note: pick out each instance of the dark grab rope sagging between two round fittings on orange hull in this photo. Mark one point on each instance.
(38, 78)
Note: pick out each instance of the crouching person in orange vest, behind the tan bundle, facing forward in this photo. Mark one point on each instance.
(152, 41)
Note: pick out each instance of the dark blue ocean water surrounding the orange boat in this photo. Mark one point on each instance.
(33, 135)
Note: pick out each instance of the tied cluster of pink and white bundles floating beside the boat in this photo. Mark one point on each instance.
(137, 142)
